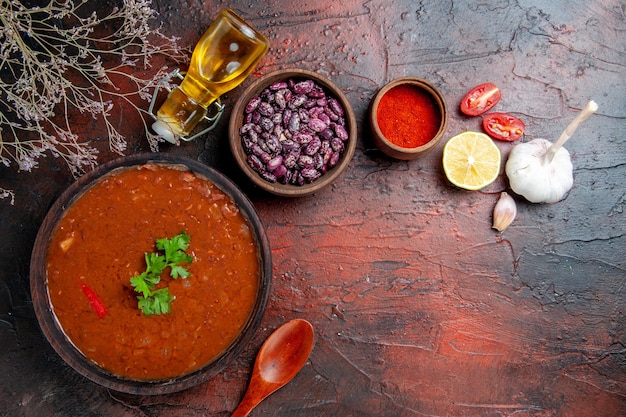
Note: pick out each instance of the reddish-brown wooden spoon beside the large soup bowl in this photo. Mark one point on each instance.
(280, 358)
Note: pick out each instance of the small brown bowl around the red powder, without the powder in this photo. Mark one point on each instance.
(439, 104)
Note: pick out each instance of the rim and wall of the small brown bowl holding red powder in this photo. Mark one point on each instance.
(417, 151)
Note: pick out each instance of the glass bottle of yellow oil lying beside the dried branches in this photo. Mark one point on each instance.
(225, 55)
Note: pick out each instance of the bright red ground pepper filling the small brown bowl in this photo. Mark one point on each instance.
(408, 116)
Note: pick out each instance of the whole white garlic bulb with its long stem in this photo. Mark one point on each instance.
(540, 171)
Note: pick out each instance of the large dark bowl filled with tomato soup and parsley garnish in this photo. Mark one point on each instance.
(150, 274)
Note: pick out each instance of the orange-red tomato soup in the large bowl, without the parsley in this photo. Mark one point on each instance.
(100, 243)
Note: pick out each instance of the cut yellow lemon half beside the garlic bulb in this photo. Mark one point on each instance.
(471, 160)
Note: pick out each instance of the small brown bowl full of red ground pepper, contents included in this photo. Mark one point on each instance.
(408, 118)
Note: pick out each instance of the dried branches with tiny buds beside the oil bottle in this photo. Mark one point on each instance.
(65, 59)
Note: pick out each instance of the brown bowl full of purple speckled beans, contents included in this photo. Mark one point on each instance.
(292, 132)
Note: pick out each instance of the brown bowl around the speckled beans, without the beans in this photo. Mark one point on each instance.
(237, 120)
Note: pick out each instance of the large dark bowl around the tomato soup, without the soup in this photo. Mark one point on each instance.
(52, 328)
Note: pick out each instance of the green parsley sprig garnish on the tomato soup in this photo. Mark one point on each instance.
(172, 254)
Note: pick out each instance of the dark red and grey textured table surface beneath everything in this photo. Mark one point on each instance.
(419, 307)
